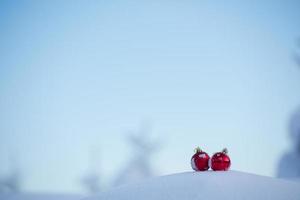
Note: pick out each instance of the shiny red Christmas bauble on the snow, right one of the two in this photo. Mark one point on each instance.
(220, 161)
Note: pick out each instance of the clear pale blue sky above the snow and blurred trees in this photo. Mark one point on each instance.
(79, 75)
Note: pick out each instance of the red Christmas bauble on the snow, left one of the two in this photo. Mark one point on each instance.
(200, 160)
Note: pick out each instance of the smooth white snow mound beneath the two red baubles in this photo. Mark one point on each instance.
(228, 185)
